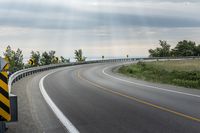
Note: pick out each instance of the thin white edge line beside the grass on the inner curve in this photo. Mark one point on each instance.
(148, 86)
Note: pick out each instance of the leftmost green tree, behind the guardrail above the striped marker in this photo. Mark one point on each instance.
(15, 59)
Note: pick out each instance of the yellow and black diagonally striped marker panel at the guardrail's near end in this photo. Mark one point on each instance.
(4, 98)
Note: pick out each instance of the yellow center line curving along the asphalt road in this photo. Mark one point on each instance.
(139, 100)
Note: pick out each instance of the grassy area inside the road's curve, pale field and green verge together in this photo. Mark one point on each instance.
(182, 73)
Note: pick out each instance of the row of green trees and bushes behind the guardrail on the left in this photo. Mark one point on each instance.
(16, 58)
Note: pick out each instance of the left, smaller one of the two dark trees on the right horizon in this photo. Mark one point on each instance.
(163, 51)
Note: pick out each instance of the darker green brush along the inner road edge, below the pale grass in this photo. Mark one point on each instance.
(155, 73)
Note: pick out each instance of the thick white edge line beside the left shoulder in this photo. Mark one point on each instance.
(63, 119)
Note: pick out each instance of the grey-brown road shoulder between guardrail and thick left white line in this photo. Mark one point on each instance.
(34, 114)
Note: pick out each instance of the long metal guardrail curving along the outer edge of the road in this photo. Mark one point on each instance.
(26, 72)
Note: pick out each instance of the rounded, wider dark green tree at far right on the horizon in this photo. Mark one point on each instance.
(184, 48)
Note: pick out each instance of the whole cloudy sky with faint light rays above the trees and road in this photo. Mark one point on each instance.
(113, 28)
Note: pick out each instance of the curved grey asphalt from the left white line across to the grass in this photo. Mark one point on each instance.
(95, 100)
